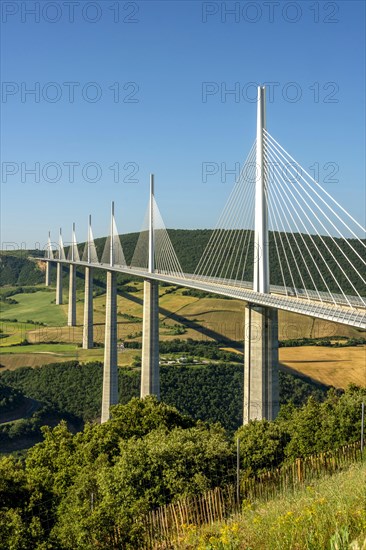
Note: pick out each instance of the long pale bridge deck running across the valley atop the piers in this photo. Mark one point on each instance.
(354, 316)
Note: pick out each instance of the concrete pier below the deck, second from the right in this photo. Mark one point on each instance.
(150, 375)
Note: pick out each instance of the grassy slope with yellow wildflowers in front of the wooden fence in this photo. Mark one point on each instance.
(329, 514)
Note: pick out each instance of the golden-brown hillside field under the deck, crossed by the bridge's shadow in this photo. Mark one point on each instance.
(203, 318)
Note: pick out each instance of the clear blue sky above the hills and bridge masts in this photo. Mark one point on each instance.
(168, 50)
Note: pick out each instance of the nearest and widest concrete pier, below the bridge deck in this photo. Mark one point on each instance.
(261, 385)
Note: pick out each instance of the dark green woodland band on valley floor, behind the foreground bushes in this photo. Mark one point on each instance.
(211, 392)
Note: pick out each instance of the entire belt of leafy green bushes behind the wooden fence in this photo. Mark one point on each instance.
(93, 488)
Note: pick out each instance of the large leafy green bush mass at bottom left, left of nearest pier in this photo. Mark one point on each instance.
(92, 489)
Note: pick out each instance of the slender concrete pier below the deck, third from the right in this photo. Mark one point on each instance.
(110, 372)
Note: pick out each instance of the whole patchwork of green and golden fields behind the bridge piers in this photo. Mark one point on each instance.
(203, 319)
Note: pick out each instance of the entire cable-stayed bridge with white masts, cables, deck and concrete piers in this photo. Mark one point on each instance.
(277, 219)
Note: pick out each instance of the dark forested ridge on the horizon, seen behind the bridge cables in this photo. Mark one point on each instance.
(190, 245)
